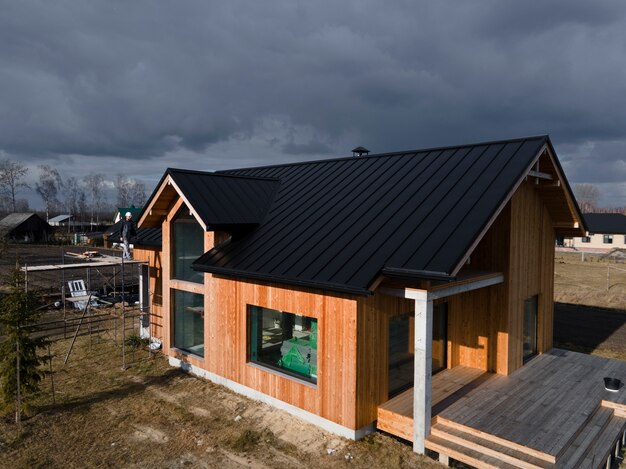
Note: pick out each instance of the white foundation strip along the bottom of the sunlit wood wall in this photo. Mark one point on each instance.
(259, 396)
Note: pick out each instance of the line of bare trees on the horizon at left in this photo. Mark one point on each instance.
(85, 199)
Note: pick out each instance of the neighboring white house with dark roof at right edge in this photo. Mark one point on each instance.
(607, 231)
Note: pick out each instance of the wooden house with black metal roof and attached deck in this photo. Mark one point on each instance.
(401, 291)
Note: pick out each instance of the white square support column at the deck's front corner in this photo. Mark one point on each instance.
(422, 385)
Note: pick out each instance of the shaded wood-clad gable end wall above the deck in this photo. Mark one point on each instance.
(486, 325)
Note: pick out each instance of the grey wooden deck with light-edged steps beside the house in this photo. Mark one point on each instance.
(553, 412)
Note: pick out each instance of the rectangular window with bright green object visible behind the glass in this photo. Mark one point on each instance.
(283, 341)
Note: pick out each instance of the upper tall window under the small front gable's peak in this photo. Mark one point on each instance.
(187, 246)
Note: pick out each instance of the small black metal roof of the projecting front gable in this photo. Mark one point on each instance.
(226, 200)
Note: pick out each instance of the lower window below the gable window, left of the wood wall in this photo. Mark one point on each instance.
(189, 322)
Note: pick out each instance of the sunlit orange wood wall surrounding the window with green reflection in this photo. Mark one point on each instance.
(226, 345)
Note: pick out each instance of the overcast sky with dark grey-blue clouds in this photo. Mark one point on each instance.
(139, 86)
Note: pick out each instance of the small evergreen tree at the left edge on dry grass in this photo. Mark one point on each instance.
(18, 313)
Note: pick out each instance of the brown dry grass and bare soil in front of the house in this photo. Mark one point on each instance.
(152, 415)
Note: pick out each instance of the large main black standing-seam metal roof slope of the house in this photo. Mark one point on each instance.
(339, 224)
